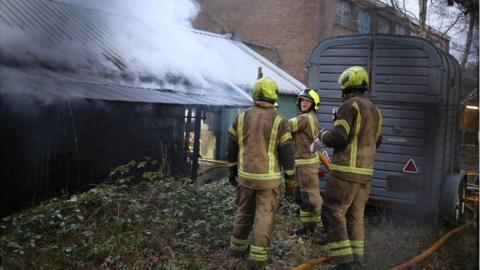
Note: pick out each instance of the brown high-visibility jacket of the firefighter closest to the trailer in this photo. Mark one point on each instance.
(357, 130)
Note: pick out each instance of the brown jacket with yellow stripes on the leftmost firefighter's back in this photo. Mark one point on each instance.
(262, 146)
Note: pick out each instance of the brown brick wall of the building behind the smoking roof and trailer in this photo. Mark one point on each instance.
(289, 28)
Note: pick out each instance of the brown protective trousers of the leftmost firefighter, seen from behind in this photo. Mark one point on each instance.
(255, 208)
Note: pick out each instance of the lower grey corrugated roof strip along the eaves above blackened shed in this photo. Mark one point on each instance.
(29, 81)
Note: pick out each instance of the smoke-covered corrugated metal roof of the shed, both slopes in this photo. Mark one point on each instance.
(89, 57)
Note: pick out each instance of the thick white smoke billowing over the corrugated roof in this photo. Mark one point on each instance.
(165, 48)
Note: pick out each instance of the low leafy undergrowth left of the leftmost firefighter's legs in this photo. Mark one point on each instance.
(155, 223)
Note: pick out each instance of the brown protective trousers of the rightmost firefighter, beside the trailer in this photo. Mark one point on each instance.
(345, 204)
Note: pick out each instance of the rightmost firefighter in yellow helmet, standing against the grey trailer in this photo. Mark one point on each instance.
(355, 136)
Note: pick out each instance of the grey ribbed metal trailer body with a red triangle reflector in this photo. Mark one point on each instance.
(411, 83)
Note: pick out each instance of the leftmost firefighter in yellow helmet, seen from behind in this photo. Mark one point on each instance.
(259, 147)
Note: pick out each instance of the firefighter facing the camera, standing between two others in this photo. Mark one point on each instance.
(304, 129)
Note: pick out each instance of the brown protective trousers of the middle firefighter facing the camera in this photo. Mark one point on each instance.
(308, 196)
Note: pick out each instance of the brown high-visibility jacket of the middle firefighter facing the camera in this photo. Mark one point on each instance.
(304, 129)
